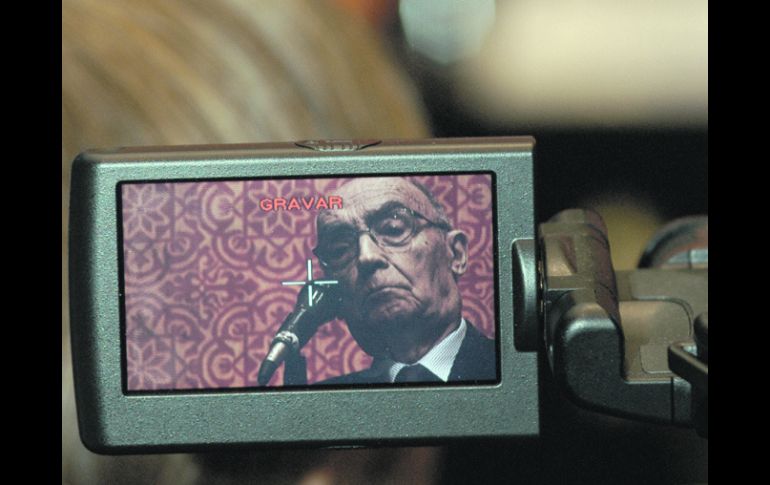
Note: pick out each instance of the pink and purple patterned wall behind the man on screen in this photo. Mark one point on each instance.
(203, 267)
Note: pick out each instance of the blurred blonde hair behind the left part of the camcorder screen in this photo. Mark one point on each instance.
(150, 72)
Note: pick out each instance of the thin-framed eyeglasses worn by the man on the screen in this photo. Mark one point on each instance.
(338, 247)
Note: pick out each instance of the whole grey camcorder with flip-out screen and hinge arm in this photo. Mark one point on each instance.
(338, 293)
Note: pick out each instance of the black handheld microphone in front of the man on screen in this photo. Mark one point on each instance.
(316, 304)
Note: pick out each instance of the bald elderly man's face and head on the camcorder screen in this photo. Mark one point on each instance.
(393, 287)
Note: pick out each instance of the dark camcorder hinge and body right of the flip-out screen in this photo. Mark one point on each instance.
(627, 343)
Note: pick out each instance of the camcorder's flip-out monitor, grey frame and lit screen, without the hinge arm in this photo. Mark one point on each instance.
(185, 261)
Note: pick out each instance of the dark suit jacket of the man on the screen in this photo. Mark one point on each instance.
(475, 361)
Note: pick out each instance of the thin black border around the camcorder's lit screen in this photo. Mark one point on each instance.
(309, 387)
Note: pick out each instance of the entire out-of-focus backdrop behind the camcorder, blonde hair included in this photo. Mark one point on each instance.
(616, 94)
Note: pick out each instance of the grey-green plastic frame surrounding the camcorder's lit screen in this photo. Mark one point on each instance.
(113, 421)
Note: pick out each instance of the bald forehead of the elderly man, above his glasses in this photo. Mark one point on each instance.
(366, 195)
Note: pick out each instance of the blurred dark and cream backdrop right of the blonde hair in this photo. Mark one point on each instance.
(616, 95)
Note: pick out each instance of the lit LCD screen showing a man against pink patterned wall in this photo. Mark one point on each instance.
(211, 269)
